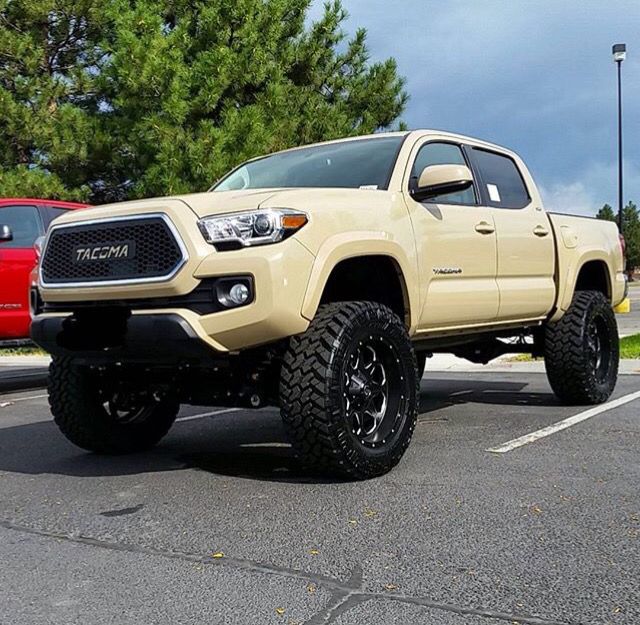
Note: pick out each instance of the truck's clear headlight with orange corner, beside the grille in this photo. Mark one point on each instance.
(251, 228)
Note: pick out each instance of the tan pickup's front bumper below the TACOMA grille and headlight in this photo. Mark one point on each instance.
(279, 273)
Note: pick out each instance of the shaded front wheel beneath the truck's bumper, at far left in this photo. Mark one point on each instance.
(99, 417)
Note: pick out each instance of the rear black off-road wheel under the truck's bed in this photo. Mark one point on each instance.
(582, 352)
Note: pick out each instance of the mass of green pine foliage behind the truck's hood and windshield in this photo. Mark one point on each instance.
(118, 99)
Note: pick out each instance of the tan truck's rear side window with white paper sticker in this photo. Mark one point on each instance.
(503, 183)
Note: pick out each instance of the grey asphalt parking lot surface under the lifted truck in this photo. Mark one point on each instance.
(217, 525)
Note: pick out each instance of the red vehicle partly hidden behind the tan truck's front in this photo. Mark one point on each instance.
(22, 221)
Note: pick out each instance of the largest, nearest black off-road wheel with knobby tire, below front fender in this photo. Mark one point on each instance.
(349, 391)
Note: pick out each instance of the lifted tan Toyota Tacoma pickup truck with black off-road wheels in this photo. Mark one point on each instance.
(319, 280)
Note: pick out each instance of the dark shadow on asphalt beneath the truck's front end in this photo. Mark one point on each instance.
(246, 445)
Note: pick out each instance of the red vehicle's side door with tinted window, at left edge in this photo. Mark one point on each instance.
(17, 259)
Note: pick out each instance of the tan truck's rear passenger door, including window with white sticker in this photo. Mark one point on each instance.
(526, 248)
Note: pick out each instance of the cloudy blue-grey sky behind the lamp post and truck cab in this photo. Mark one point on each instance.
(534, 75)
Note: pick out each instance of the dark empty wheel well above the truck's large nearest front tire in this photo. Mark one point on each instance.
(368, 278)
